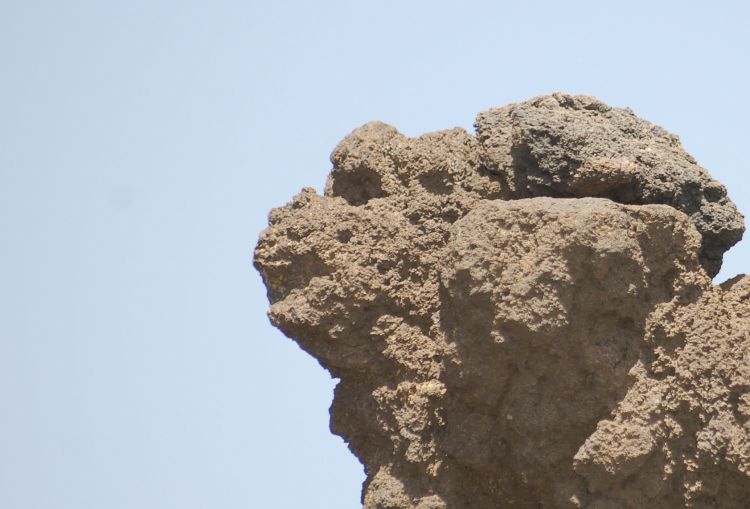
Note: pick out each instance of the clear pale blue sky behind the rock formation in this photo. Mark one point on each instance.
(142, 145)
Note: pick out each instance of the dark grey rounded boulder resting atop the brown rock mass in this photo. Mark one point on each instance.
(576, 146)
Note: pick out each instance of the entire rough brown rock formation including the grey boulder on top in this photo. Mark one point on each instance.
(525, 318)
